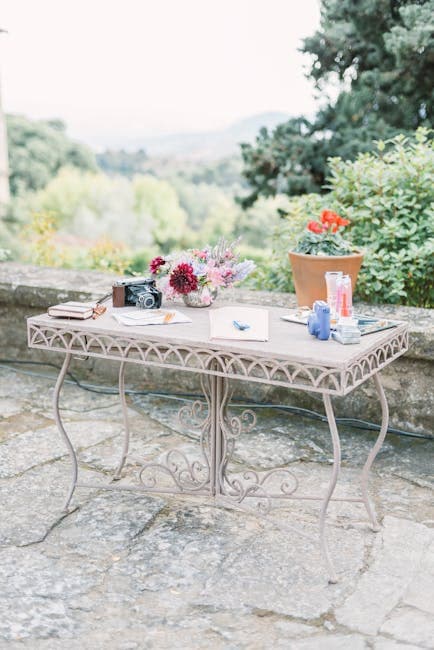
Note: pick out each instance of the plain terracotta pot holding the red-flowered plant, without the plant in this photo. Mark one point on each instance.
(309, 271)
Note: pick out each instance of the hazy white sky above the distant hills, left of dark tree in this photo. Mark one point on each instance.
(154, 66)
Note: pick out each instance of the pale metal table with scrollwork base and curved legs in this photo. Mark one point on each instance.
(291, 359)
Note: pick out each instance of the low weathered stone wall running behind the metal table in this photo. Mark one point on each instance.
(26, 291)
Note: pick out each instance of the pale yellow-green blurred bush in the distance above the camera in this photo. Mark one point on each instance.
(92, 207)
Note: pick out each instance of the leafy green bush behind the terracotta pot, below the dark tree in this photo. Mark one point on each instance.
(388, 196)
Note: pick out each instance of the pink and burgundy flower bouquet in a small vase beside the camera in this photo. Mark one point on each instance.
(196, 275)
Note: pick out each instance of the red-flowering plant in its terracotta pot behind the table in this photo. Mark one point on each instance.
(322, 248)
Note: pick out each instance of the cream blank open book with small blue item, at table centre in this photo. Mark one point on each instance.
(239, 323)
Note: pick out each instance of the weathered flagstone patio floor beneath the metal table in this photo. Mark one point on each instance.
(125, 570)
